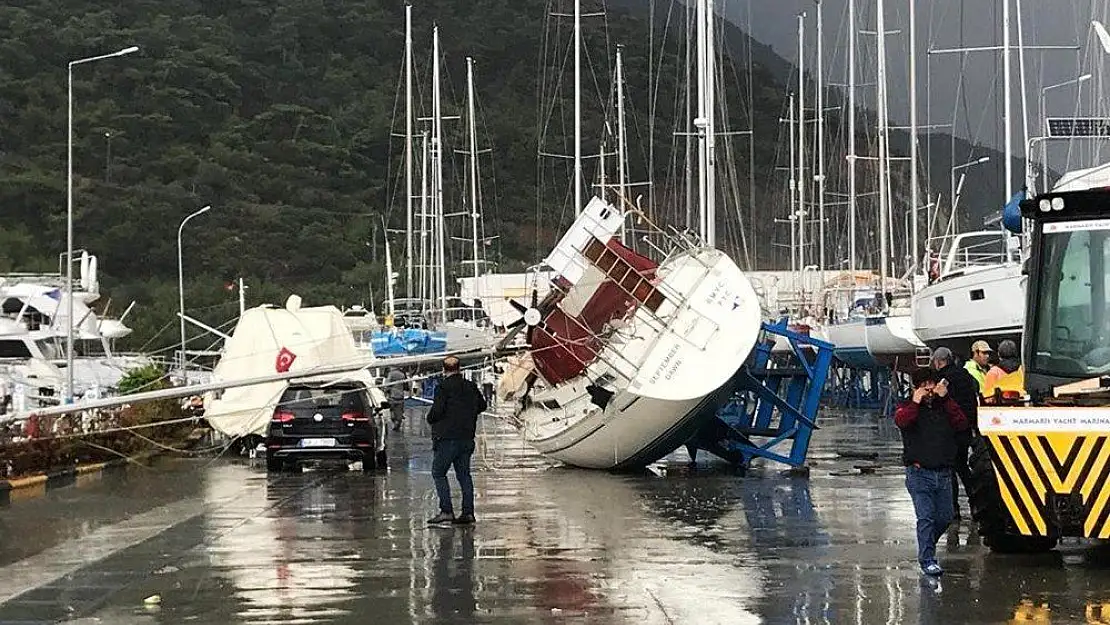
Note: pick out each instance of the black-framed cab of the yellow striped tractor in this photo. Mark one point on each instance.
(1067, 334)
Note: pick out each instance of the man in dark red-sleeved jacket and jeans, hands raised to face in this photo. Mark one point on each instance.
(931, 424)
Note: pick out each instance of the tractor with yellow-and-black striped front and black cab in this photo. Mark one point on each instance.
(1042, 465)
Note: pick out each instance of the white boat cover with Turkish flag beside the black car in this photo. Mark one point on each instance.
(269, 340)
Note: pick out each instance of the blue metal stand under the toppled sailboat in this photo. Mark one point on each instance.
(773, 404)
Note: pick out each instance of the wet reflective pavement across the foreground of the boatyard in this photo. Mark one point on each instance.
(221, 542)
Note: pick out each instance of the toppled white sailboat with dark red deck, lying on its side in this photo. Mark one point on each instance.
(629, 358)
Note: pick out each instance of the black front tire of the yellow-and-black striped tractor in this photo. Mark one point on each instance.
(990, 512)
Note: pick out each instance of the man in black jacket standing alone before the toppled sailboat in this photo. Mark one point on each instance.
(455, 417)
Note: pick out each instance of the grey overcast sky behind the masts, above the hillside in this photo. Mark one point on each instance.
(974, 104)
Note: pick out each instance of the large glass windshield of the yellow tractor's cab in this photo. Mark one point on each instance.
(1072, 325)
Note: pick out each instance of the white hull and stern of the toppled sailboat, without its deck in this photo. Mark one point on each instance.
(664, 379)
